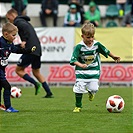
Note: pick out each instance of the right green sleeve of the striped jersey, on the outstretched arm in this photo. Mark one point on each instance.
(103, 50)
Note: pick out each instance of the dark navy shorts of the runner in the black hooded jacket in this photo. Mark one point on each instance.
(29, 59)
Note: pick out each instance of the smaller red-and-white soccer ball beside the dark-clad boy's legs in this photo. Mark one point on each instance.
(15, 92)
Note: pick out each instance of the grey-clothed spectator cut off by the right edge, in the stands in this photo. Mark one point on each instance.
(128, 19)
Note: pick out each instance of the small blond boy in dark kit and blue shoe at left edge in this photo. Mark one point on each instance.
(7, 47)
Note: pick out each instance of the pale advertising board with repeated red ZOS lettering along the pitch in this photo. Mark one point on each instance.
(63, 74)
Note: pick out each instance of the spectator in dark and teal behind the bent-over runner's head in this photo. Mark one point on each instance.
(20, 6)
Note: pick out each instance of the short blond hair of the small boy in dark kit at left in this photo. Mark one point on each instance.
(9, 27)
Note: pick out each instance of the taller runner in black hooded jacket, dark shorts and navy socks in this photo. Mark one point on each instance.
(29, 38)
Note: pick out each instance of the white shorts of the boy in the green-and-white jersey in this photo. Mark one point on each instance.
(84, 87)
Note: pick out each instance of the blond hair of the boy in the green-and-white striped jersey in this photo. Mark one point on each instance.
(88, 29)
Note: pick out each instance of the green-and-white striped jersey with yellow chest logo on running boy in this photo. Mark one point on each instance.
(90, 56)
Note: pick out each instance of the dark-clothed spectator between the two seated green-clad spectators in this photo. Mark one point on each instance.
(80, 7)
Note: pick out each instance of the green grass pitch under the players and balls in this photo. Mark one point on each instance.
(54, 115)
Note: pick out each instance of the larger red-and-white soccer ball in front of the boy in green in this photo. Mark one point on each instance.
(115, 103)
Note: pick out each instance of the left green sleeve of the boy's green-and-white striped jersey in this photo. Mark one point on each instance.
(75, 55)
